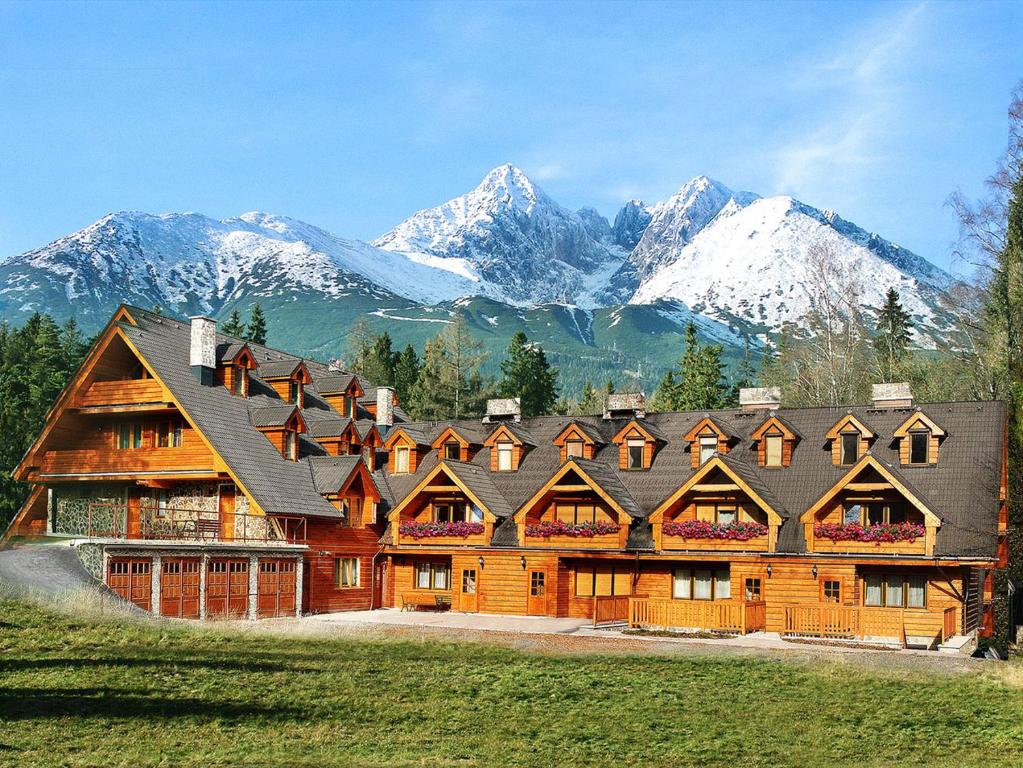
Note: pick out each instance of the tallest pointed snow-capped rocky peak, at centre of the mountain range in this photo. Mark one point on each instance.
(521, 246)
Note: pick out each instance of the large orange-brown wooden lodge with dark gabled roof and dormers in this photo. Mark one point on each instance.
(204, 477)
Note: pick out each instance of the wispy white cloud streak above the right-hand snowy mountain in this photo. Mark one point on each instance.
(860, 92)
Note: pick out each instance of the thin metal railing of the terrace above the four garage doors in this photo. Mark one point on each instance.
(176, 524)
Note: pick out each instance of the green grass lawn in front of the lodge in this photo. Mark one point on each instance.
(86, 692)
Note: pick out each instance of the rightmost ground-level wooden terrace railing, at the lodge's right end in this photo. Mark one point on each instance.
(828, 621)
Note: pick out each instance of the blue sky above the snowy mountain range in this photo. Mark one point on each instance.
(354, 116)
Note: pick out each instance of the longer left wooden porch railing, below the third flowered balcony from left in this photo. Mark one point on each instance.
(727, 616)
